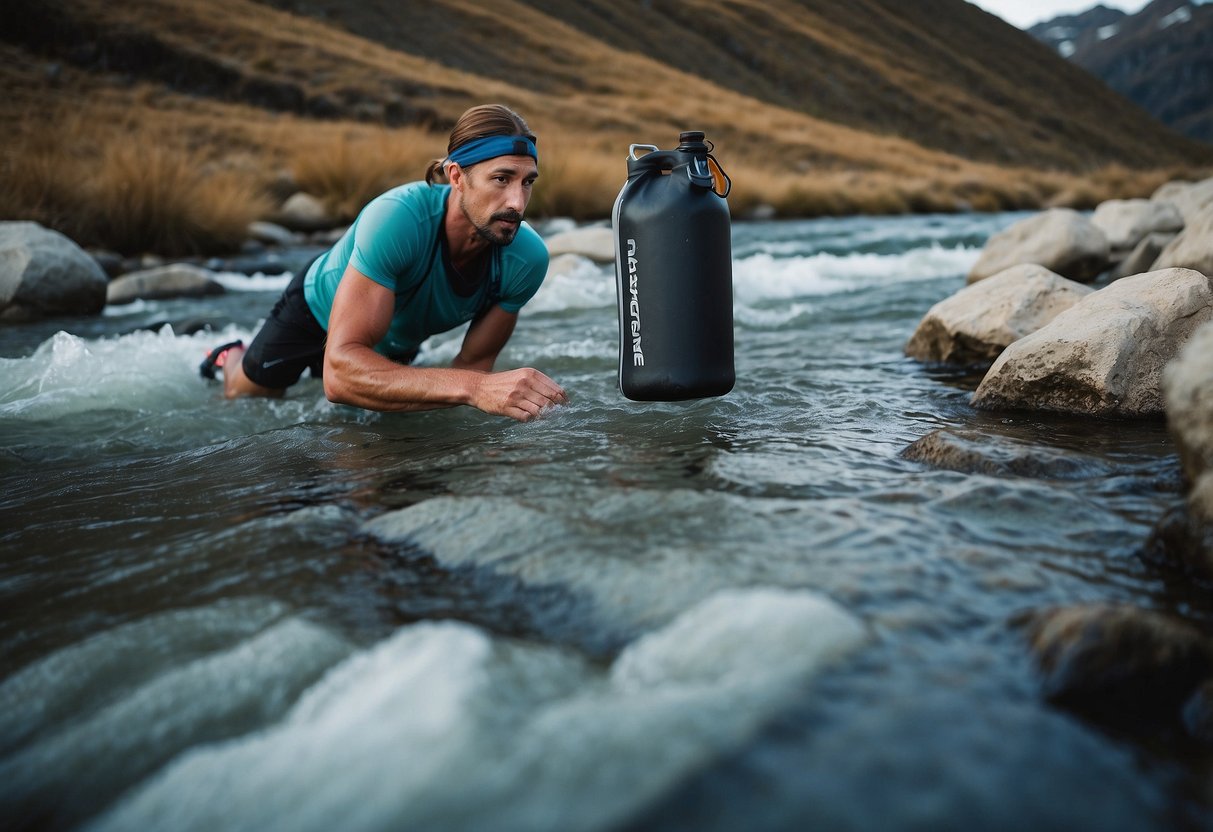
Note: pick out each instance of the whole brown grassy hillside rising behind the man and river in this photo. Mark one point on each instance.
(816, 109)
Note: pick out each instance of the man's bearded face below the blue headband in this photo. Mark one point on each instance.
(494, 196)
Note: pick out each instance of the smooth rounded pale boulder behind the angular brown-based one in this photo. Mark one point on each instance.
(1060, 240)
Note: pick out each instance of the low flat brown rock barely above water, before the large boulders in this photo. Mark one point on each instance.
(975, 453)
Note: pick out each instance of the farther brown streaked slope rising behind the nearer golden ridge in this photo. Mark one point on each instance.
(941, 73)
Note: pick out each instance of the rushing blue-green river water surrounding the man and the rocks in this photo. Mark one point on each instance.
(743, 613)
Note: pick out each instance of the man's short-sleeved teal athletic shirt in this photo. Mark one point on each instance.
(395, 242)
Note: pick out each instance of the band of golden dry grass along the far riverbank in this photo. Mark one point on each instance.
(144, 176)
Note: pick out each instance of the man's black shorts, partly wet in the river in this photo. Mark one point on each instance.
(291, 341)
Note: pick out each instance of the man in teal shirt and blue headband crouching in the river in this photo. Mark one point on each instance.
(419, 260)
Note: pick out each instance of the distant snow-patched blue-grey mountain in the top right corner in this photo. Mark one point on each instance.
(1161, 58)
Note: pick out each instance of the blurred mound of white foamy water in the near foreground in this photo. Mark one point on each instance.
(401, 736)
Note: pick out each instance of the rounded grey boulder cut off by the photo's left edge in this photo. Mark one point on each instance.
(43, 273)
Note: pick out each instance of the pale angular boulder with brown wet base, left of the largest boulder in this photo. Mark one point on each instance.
(976, 324)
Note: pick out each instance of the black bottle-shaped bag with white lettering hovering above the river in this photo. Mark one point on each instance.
(674, 273)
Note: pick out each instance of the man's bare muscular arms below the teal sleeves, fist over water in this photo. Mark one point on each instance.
(355, 374)
